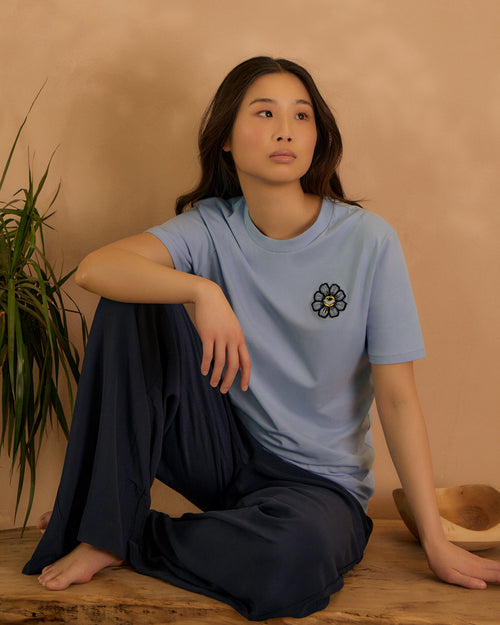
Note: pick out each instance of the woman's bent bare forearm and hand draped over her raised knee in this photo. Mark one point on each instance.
(140, 269)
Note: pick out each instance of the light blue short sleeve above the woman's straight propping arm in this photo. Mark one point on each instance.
(393, 327)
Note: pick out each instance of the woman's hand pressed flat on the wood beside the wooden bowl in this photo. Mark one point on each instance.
(457, 566)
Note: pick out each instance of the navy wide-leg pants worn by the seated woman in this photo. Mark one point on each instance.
(272, 540)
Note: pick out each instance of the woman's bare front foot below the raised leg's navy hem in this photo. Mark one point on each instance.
(77, 567)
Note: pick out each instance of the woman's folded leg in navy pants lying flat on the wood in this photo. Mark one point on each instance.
(280, 549)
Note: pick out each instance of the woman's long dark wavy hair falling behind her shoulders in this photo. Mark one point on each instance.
(218, 173)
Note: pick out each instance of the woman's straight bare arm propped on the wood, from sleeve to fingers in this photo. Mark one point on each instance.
(405, 432)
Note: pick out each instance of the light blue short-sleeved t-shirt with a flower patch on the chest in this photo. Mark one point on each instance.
(315, 310)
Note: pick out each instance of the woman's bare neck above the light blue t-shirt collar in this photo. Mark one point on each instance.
(280, 211)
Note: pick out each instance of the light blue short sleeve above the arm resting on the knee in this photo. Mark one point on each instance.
(187, 240)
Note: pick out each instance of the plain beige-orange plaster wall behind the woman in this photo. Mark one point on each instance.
(415, 86)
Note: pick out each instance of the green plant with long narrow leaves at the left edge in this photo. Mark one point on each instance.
(35, 346)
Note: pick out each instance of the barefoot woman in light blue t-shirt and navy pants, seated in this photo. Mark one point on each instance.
(303, 312)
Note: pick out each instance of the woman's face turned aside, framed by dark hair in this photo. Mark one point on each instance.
(274, 133)
